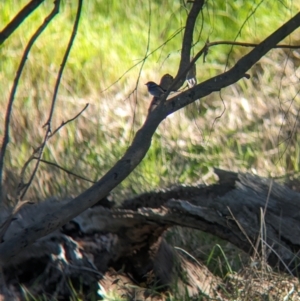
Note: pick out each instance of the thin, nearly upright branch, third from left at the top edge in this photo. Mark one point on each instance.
(60, 72)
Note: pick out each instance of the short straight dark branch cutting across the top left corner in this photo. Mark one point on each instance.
(18, 19)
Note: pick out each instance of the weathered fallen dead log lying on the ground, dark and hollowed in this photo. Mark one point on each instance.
(102, 240)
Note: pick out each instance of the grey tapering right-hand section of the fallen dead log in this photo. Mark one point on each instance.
(241, 208)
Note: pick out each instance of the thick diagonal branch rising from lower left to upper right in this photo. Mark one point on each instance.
(51, 220)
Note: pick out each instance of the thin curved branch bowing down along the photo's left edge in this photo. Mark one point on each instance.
(15, 85)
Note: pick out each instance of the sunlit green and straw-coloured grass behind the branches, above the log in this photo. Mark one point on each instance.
(251, 125)
